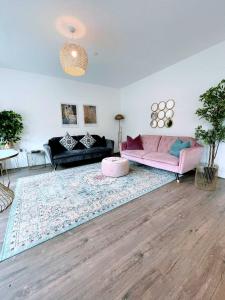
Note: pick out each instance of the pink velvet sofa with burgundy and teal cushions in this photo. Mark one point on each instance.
(156, 154)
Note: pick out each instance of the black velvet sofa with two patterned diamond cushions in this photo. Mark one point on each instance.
(59, 155)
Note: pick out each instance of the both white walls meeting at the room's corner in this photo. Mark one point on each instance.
(38, 99)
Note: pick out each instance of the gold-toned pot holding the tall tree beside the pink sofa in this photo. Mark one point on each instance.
(206, 177)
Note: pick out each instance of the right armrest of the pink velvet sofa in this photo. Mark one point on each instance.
(189, 158)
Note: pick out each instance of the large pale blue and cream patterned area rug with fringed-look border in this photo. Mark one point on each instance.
(49, 204)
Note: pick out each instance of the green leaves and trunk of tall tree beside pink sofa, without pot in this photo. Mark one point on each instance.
(213, 111)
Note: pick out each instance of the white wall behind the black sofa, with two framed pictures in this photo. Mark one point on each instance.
(38, 99)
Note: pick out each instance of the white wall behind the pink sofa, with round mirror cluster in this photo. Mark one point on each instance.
(183, 82)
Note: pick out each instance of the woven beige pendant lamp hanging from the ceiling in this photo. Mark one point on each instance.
(73, 57)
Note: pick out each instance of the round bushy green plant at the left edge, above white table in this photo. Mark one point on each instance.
(11, 128)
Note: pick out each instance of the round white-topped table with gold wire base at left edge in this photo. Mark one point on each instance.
(6, 194)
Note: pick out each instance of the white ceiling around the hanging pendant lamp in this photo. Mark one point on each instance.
(133, 38)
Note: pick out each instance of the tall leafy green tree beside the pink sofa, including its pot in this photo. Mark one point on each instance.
(213, 111)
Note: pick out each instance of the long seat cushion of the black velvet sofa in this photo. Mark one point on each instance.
(94, 150)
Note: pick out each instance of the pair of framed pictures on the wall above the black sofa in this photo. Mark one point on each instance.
(69, 113)
